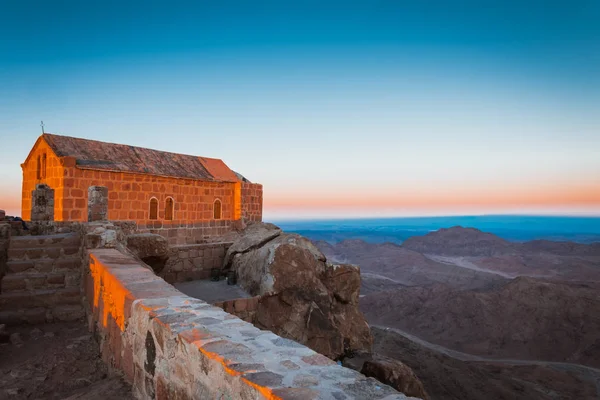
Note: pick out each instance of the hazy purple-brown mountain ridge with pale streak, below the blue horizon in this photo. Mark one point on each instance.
(468, 258)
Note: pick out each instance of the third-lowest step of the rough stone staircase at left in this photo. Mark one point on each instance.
(33, 281)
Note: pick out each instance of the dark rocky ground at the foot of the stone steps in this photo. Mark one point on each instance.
(55, 361)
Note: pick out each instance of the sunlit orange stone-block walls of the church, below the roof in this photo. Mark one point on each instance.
(129, 194)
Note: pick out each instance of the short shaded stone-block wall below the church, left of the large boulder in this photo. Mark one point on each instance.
(193, 262)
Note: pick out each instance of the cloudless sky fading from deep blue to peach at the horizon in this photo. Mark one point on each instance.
(339, 108)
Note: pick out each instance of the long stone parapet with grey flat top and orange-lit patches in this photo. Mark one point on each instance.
(171, 346)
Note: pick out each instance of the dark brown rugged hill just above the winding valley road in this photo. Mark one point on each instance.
(527, 319)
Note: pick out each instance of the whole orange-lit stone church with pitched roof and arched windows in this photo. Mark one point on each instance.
(155, 189)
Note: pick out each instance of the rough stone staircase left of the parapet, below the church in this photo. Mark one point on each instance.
(42, 281)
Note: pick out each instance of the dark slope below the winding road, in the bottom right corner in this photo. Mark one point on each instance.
(446, 378)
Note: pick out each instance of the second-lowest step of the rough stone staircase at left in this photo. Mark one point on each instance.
(46, 298)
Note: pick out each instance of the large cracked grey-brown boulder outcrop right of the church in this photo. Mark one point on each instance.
(303, 297)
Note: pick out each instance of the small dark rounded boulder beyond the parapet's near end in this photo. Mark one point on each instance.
(396, 374)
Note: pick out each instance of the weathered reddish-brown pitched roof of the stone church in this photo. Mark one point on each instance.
(96, 155)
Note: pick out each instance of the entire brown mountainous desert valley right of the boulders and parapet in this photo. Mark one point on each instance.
(479, 317)
